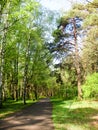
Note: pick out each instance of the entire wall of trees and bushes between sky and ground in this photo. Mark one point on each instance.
(44, 53)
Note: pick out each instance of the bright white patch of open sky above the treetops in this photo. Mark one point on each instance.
(59, 5)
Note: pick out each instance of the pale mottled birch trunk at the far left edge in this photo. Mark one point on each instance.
(4, 25)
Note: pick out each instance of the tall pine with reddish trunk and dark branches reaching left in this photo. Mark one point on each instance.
(67, 40)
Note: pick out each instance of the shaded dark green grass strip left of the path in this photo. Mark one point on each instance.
(10, 107)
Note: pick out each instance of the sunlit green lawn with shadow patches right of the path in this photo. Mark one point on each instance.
(75, 115)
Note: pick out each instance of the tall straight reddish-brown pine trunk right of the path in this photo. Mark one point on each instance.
(77, 61)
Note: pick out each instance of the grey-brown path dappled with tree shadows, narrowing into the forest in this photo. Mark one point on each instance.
(35, 117)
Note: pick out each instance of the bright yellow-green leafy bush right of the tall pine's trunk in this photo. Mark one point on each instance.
(90, 88)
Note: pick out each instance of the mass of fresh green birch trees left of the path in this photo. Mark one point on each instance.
(24, 62)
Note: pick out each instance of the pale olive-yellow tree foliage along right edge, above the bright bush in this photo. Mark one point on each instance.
(90, 49)
